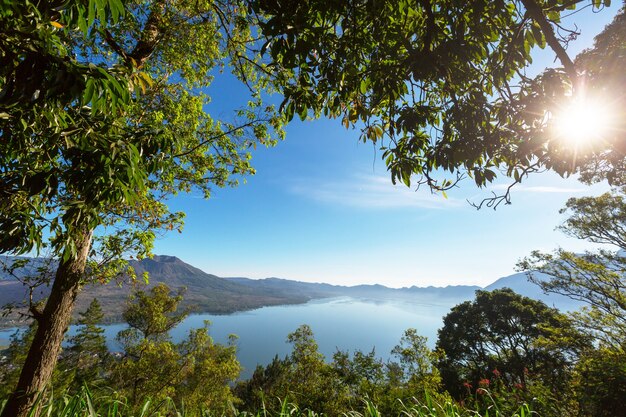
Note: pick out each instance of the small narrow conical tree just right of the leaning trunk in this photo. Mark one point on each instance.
(87, 353)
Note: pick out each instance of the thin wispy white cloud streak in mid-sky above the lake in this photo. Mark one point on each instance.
(371, 192)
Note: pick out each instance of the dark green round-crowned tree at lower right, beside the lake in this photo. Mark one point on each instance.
(501, 332)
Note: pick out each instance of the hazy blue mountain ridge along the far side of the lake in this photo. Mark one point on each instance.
(209, 293)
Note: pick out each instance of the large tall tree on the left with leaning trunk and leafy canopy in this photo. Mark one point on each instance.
(102, 118)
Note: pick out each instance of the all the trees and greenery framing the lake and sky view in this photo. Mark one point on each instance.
(104, 119)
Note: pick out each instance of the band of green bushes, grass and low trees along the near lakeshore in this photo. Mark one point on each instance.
(501, 354)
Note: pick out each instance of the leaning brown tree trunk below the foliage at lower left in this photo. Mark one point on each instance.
(51, 327)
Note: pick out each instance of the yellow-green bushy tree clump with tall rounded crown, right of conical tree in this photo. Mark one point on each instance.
(195, 372)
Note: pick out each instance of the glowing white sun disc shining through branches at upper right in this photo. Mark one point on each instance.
(582, 123)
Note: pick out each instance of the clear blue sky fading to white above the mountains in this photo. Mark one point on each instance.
(322, 208)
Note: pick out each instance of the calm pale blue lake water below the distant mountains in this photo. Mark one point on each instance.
(342, 323)
